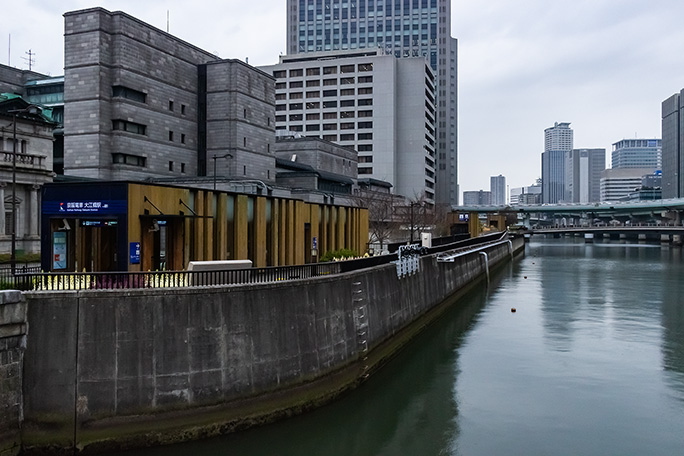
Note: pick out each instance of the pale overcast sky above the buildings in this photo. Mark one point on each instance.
(603, 65)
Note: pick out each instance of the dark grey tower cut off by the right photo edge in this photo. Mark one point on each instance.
(673, 147)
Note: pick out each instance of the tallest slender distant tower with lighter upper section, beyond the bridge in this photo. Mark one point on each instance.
(557, 144)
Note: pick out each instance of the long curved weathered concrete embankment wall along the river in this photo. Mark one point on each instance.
(109, 369)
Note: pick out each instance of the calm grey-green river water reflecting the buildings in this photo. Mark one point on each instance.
(591, 363)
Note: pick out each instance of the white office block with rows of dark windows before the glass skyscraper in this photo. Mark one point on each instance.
(369, 101)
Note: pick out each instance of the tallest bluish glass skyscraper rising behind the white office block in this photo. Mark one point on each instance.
(403, 28)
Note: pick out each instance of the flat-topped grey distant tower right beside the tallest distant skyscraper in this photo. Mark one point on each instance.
(583, 175)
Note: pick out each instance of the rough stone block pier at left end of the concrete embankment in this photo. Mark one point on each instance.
(13, 328)
